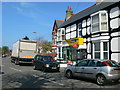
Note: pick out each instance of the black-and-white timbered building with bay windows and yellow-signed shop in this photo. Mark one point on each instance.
(93, 32)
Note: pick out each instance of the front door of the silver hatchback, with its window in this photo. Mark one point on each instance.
(79, 68)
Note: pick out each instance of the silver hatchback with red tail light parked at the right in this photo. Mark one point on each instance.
(99, 70)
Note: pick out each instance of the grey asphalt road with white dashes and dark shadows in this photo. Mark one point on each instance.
(16, 76)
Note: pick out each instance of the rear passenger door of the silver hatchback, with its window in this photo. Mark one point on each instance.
(91, 70)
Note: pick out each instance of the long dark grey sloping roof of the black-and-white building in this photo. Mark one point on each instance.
(90, 10)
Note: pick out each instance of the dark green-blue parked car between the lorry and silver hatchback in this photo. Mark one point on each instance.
(45, 63)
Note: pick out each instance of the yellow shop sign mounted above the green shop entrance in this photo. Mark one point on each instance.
(79, 41)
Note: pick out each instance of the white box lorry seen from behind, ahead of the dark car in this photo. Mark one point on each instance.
(24, 51)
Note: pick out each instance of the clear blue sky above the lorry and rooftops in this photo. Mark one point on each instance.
(20, 19)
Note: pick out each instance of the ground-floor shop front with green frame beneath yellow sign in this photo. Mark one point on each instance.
(72, 51)
